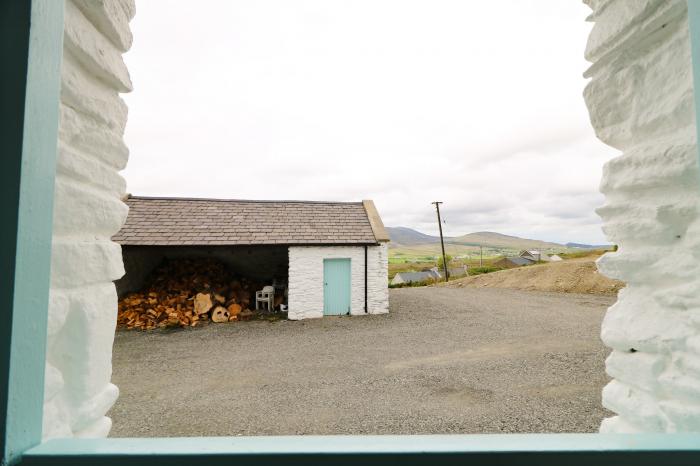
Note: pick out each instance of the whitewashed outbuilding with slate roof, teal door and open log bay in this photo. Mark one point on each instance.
(330, 257)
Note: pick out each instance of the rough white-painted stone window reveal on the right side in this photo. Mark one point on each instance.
(641, 102)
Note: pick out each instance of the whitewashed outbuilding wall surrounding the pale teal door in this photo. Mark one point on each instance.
(306, 279)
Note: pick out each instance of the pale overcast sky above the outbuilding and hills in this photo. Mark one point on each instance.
(475, 104)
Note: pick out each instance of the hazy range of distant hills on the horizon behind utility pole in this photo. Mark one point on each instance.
(403, 236)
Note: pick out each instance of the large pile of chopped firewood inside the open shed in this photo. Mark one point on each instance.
(186, 292)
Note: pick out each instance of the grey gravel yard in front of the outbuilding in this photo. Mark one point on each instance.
(443, 361)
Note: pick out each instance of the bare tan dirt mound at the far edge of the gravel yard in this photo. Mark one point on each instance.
(572, 276)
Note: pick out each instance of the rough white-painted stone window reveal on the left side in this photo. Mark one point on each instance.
(88, 211)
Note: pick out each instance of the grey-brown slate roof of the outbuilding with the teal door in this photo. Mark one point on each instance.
(159, 221)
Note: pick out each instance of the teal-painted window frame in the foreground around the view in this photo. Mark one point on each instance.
(31, 48)
